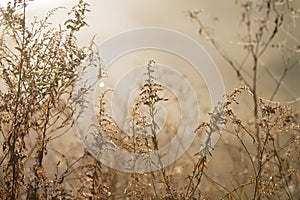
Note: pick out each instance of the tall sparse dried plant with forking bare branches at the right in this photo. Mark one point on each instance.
(259, 141)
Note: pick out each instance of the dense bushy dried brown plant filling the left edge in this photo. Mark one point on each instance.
(39, 65)
